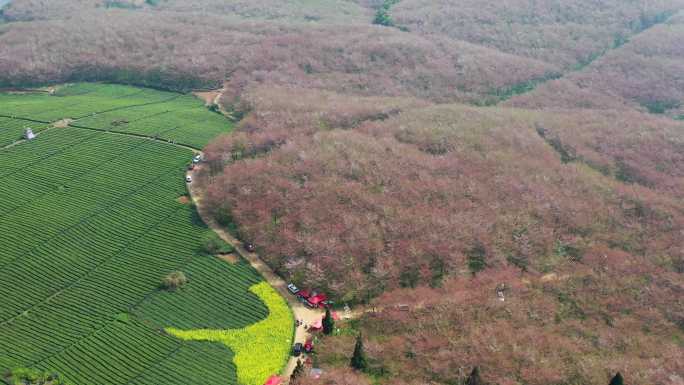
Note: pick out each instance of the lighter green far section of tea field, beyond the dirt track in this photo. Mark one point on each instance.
(182, 119)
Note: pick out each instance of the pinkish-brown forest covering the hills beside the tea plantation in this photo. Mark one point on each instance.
(414, 155)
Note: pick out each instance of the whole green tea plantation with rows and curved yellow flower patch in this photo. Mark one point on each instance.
(90, 224)
